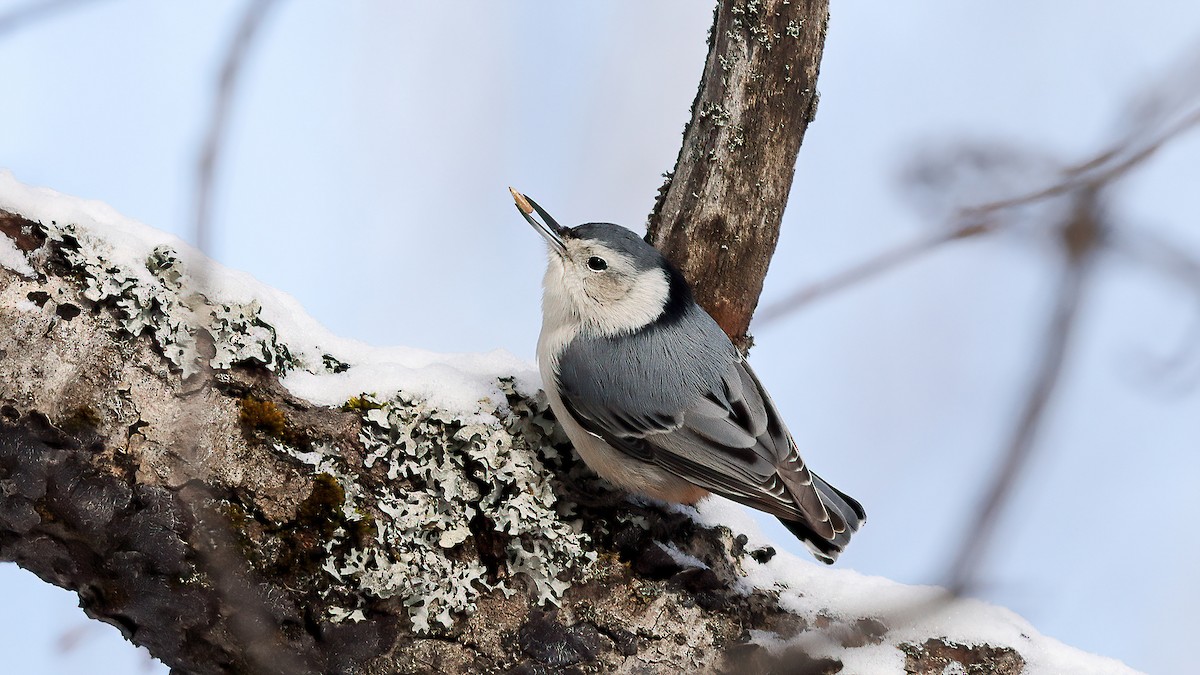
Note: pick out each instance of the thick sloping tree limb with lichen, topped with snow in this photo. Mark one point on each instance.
(239, 491)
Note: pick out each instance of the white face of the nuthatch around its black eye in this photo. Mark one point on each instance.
(592, 288)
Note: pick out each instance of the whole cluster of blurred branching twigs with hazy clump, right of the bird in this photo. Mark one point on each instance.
(952, 187)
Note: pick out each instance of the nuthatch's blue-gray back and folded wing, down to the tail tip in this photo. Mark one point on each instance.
(704, 415)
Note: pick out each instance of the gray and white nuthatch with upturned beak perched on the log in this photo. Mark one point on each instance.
(653, 395)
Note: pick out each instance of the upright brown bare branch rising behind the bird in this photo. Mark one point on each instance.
(718, 216)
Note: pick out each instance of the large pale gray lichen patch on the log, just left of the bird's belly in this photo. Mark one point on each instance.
(459, 498)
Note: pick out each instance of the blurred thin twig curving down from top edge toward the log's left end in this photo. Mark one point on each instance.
(223, 101)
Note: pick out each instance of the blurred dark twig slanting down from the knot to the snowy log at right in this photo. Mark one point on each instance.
(1081, 237)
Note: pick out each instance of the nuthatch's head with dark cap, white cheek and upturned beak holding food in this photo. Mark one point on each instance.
(604, 278)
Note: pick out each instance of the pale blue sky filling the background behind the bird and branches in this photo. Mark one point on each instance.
(367, 175)
